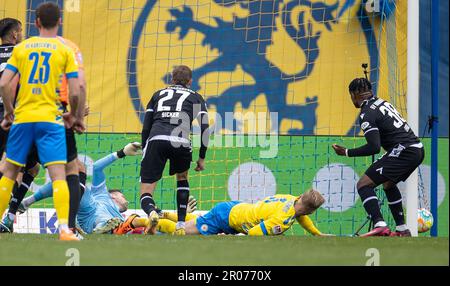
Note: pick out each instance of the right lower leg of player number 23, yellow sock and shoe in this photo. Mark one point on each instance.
(61, 198)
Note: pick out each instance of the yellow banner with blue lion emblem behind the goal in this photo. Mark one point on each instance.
(295, 58)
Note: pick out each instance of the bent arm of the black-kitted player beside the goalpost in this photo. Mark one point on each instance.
(372, 135)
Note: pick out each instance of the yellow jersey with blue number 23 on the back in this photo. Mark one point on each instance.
(41, 63)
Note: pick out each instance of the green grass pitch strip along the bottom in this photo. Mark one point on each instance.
(35, 249)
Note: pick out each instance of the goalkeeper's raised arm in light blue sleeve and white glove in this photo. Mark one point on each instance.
(99, 178)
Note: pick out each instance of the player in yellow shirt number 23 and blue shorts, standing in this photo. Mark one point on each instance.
(37, 118)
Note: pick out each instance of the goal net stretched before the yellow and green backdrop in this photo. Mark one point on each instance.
(274, 74)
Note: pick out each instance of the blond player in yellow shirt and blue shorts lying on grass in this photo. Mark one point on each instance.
(270, 216)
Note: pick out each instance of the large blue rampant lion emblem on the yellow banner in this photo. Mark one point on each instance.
(244, 42)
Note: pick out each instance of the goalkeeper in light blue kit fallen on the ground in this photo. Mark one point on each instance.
(100, 209)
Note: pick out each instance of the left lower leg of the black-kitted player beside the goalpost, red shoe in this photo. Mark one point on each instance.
(369, 200)
